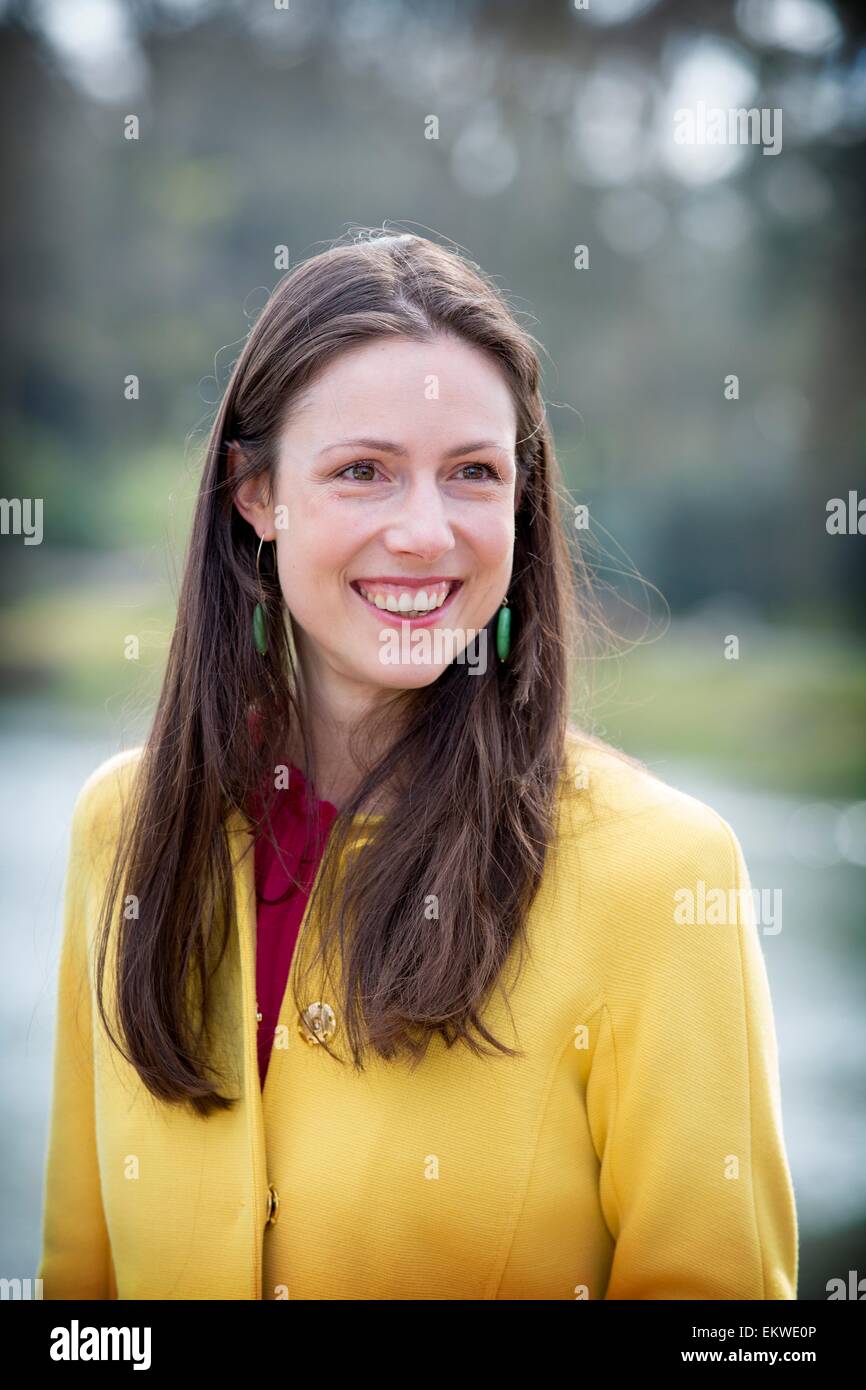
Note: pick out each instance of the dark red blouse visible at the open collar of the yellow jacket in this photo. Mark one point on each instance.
(302, 835)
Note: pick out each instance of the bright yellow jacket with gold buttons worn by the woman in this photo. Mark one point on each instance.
(635, 1152)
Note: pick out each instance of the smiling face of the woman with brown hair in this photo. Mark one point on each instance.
(395, 477)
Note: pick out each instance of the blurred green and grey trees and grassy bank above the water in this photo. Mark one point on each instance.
(262, 130)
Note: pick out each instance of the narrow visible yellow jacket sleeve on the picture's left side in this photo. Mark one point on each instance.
(76, 1260)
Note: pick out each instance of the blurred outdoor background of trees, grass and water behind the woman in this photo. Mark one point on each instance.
(521, 133)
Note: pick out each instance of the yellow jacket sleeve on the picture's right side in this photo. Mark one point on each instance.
(685, 1092)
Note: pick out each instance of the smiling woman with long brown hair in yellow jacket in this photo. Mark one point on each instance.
(494, 1061)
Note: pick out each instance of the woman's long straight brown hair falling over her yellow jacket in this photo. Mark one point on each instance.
(473, 765)
